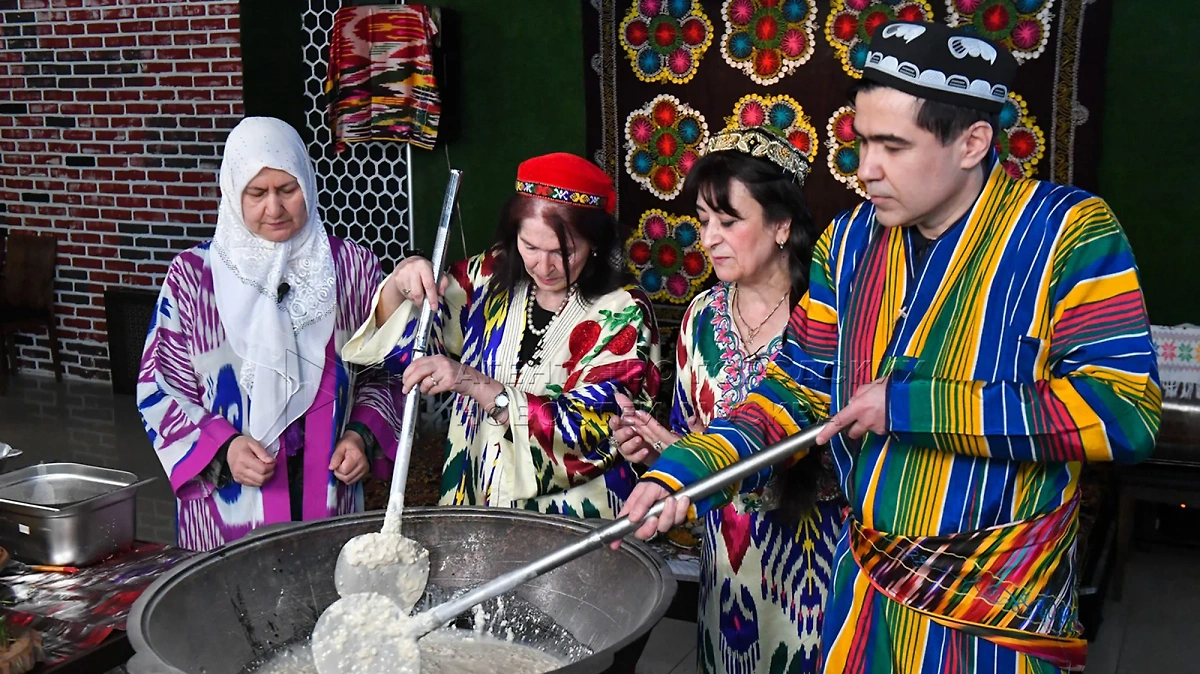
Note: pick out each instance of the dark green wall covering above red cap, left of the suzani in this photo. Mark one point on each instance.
(523, 97)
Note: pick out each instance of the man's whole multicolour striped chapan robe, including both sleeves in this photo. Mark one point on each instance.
(1021, 350)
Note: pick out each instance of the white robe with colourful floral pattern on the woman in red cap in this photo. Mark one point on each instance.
(554, 455)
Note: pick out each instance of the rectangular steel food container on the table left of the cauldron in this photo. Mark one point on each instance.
(68, 514)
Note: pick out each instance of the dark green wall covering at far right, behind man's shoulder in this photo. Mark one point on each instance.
(1148, 176)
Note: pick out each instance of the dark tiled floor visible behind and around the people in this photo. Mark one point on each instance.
(1155, 630)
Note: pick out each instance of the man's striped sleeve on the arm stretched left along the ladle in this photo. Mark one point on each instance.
(794, 394)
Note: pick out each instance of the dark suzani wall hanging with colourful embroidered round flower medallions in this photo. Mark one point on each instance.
(657, 91)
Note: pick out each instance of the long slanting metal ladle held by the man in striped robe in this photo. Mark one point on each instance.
(383, 640)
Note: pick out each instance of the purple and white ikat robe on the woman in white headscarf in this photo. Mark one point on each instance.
(193, 405)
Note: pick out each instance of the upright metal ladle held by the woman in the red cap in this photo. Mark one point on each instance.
(387, 563)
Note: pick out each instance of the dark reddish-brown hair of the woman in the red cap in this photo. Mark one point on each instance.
(604, 236)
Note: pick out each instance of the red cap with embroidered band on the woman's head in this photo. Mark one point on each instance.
(562, 177)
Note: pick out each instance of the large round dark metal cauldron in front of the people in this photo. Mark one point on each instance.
(217, 613)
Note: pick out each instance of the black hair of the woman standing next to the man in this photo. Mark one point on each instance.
(782, 200)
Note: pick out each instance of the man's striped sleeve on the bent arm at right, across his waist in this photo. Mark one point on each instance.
(1099, 398)
